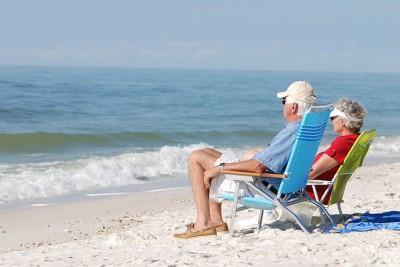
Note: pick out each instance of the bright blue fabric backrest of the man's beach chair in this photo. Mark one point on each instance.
(305, 148)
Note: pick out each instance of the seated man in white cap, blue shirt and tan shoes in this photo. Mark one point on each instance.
(205, 165)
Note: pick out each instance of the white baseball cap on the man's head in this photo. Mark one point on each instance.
(300, 90)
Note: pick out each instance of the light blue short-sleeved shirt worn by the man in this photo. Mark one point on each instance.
(276, 156)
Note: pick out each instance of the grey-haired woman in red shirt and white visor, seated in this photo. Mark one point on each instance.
(347, 119)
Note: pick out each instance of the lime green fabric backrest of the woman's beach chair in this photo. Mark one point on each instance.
(353, 160)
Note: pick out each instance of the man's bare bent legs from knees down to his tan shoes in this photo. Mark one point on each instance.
(198, 162)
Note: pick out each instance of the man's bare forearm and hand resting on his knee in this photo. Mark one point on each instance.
(250, 165)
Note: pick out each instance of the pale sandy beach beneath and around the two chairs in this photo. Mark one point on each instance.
(137, 230)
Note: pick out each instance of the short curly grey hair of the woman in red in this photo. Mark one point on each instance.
(354, 112)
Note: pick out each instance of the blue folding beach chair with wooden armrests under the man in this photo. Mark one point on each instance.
(291, 189)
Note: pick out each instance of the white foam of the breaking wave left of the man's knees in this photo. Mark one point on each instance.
(20, 182)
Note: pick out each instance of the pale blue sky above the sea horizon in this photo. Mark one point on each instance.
(341, 35)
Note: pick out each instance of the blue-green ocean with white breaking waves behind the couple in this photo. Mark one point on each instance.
(72, 131)
